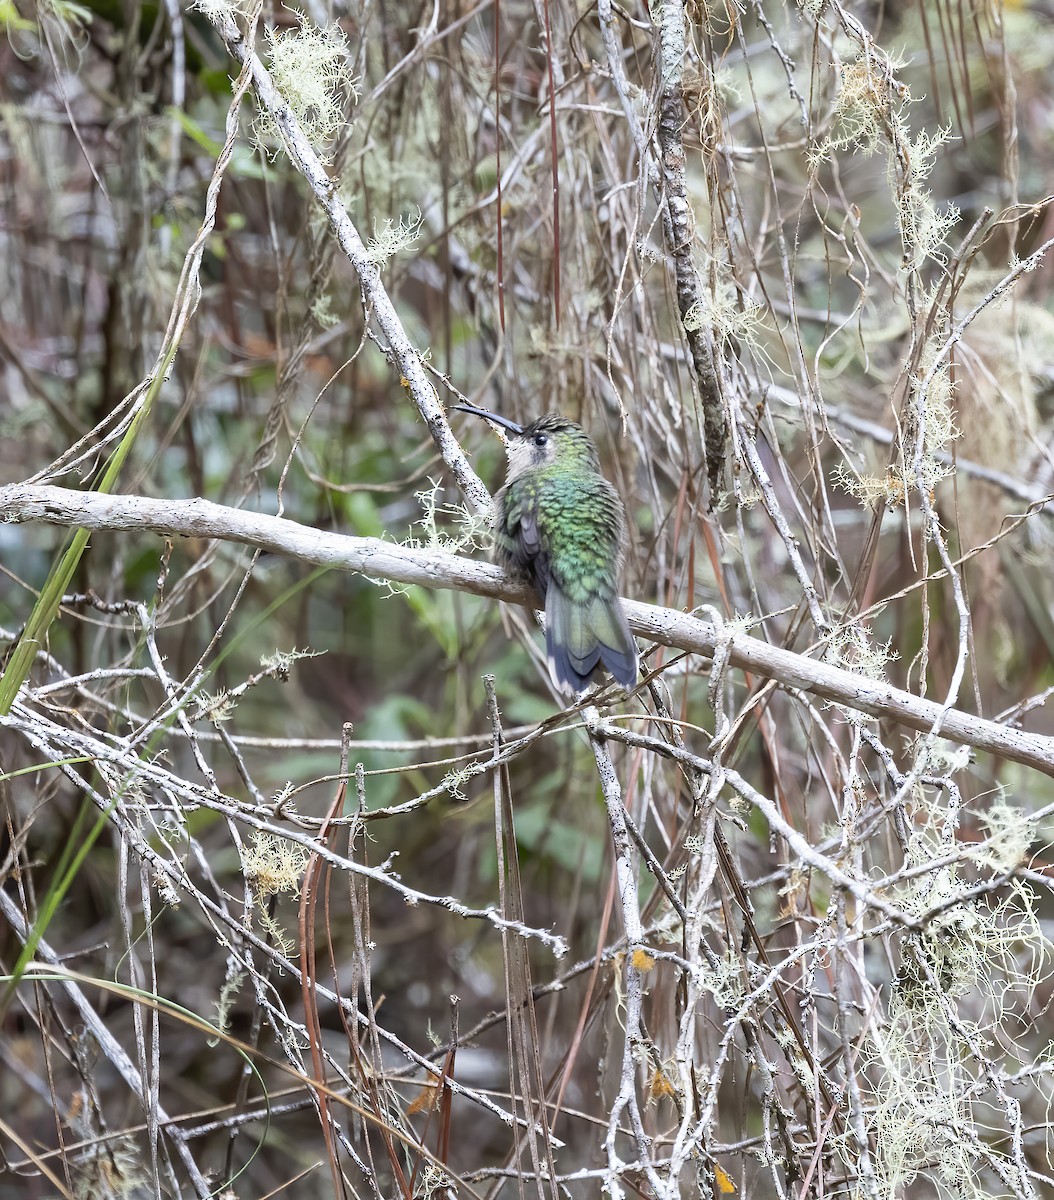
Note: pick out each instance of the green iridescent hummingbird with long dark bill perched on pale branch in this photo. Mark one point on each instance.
(560, 526)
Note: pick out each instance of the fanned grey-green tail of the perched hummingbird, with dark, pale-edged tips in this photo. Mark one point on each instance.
(582, 635)
